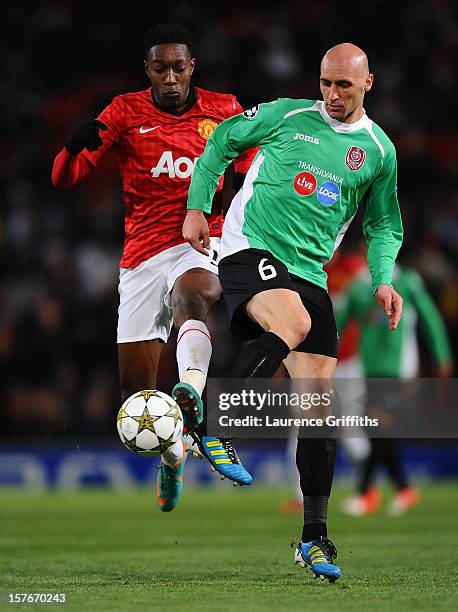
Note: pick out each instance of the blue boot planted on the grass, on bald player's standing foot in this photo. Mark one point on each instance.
(319, 555)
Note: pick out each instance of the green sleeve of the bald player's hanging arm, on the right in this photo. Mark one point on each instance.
(382, 223)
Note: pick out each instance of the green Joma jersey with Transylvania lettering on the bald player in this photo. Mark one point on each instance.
(304, 186)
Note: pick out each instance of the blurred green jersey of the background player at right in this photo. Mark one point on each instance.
(394, 354)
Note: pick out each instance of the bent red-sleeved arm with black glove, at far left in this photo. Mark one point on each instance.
(87, 144)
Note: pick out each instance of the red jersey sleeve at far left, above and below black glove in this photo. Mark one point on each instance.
(70, 169)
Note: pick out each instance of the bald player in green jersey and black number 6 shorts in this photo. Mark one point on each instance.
(318, 160)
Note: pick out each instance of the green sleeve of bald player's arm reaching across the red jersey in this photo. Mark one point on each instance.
(230, 139)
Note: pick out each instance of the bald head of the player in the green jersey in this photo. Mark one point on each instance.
(344, 80)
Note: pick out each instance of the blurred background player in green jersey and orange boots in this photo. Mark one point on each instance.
(386, 355)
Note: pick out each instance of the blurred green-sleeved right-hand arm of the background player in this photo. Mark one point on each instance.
(431, 324)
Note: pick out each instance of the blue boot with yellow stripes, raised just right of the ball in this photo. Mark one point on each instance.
(221, 455)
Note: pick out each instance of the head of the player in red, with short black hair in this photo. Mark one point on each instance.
(169, 64)
